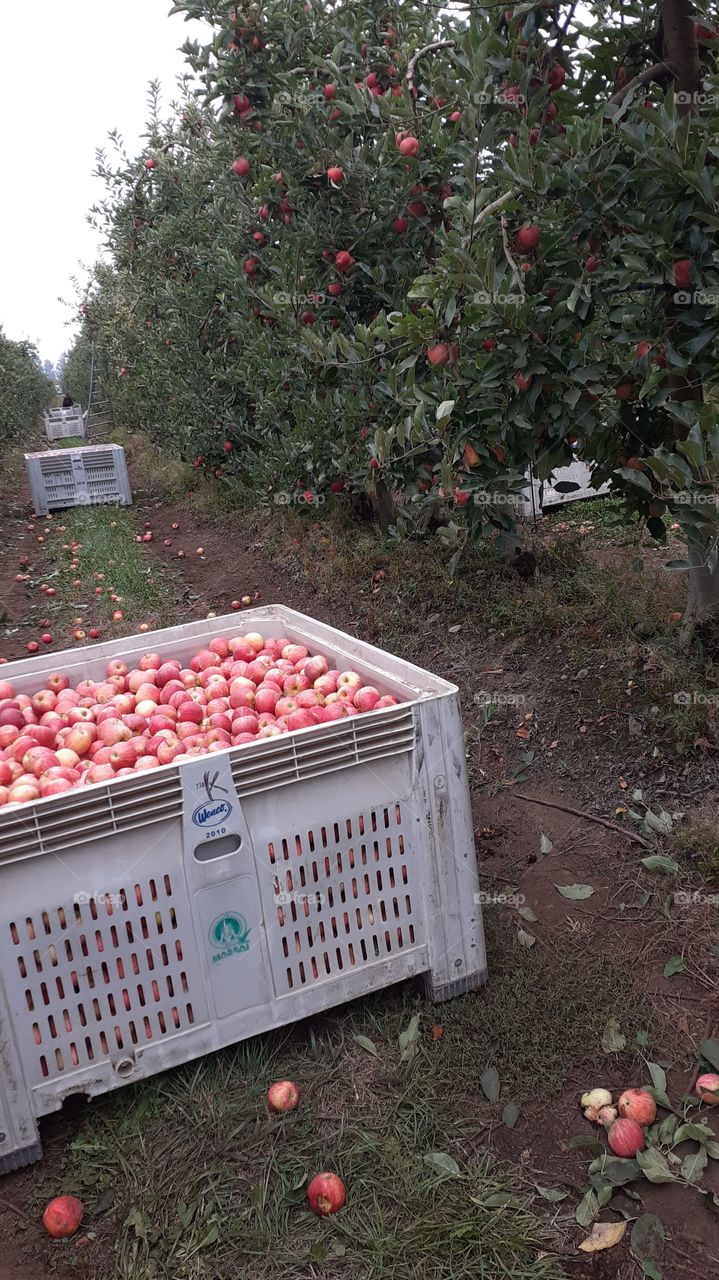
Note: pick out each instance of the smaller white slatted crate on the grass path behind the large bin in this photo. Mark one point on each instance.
(79, 478)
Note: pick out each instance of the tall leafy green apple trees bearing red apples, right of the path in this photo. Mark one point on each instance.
(397, 250)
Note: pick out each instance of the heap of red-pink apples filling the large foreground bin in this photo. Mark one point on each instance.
(236, 692)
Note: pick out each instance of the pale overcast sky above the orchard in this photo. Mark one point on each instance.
(71, 75)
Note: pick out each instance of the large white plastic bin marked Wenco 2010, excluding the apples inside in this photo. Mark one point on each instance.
(153, 920)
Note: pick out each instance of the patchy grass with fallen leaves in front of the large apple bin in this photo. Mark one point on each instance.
(189, 1177)
